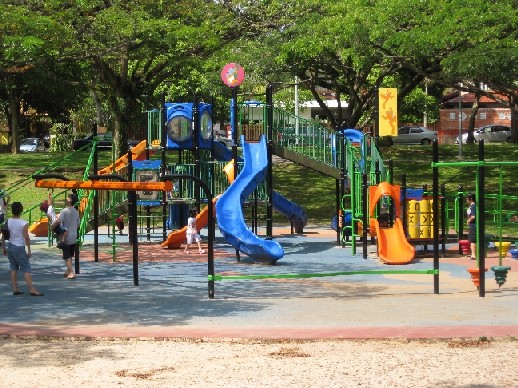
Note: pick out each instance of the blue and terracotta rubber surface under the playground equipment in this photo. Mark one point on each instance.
(172, 300)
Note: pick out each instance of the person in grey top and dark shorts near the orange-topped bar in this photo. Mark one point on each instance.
(69, 218)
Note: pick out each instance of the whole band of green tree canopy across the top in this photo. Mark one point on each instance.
(124, 56)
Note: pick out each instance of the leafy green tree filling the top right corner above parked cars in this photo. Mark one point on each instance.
(475, 44)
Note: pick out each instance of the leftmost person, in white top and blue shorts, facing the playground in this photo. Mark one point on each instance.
(15, 250)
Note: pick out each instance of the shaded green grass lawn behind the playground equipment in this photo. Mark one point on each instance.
(312, 190)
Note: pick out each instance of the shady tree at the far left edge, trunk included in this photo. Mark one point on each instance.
(30, 78)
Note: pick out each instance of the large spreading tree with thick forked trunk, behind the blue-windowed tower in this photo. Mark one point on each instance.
(134, 48)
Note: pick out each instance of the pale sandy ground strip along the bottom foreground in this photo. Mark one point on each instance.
(57, 362)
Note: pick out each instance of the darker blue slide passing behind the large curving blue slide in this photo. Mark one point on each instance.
(293, 212)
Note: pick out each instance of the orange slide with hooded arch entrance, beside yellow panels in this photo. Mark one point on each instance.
(393, 246)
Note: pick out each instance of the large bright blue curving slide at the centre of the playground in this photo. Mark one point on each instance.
(229, 207)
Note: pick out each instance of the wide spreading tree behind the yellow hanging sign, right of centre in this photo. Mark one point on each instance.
(327, 45)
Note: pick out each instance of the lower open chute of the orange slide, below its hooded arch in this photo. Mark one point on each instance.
(393, 247)
